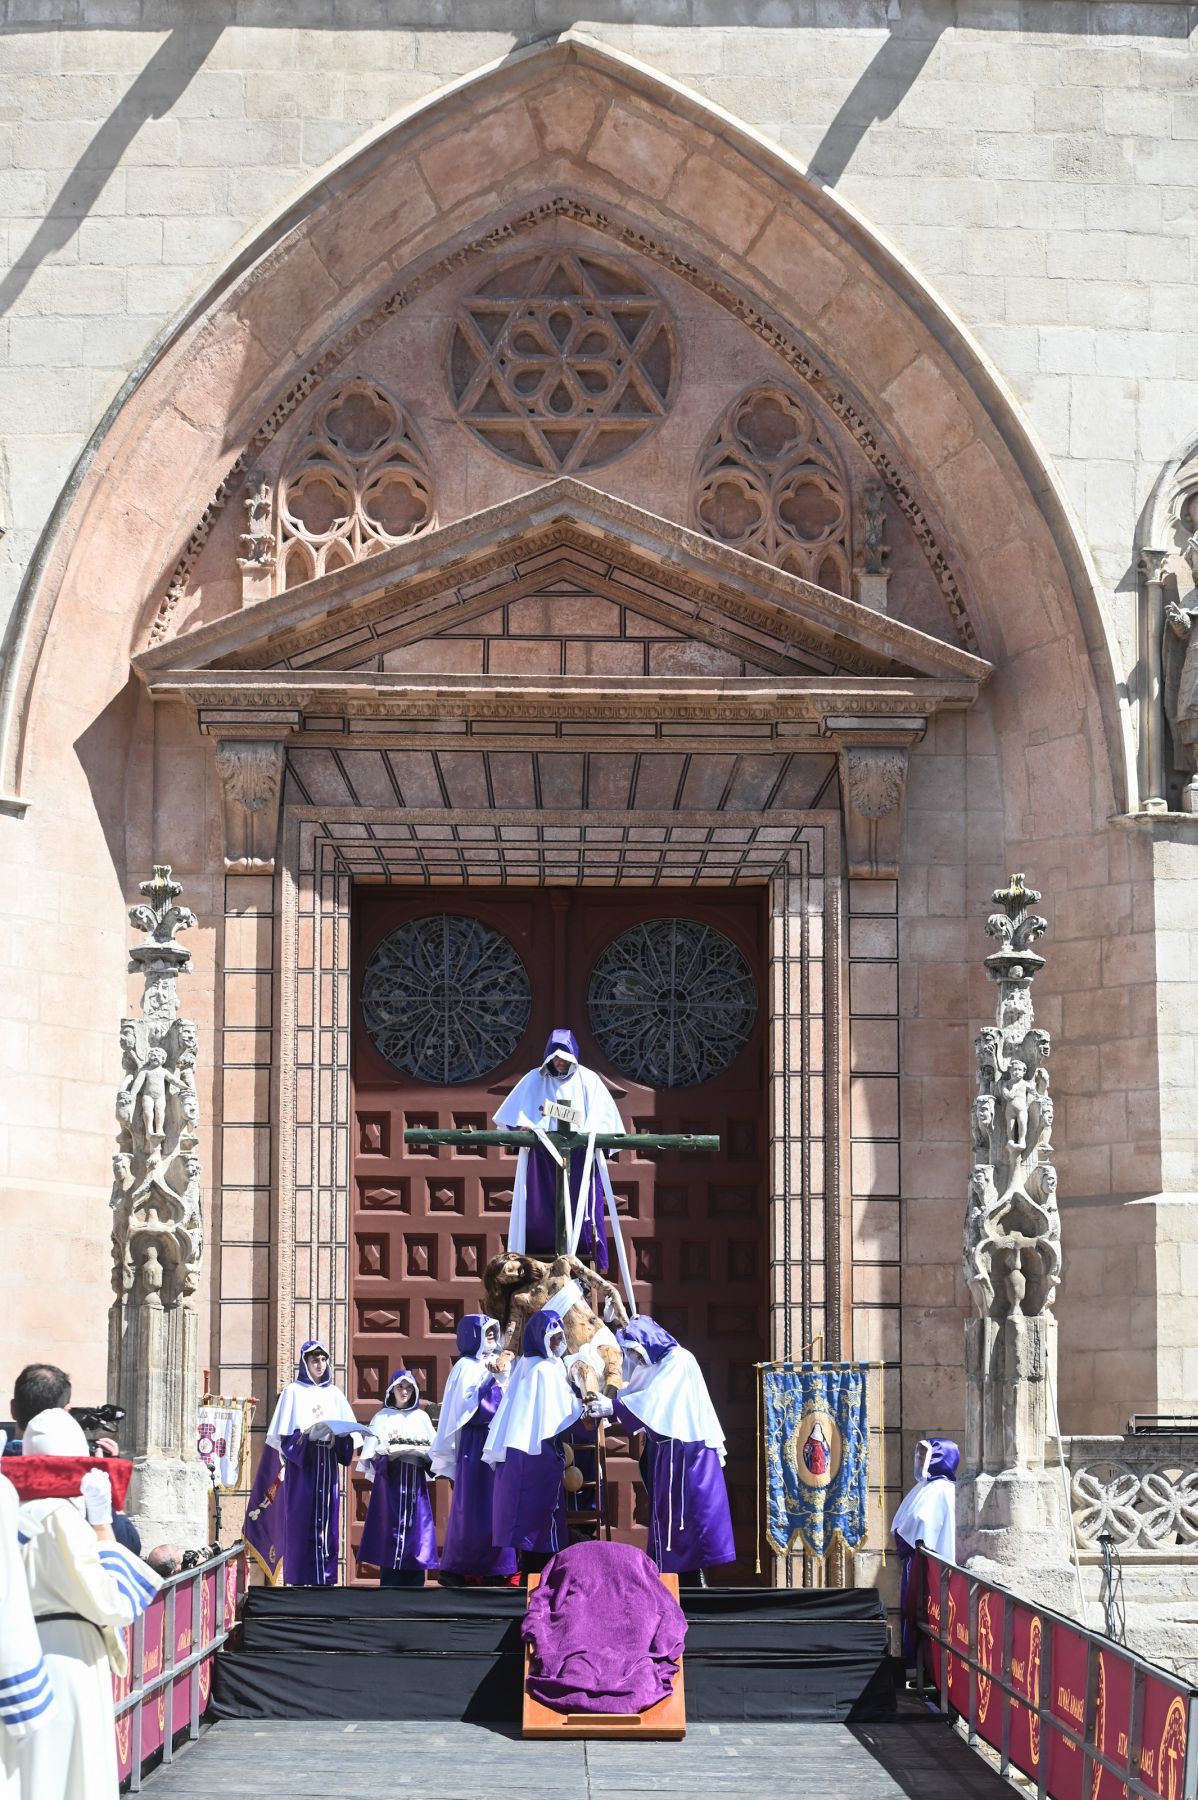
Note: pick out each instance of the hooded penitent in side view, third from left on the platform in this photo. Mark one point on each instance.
(472, 1398)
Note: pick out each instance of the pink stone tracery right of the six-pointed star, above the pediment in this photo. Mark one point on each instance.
(767, 483)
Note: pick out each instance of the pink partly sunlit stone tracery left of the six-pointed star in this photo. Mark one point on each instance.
(359, 481)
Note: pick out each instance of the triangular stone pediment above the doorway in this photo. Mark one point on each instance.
(562, 582)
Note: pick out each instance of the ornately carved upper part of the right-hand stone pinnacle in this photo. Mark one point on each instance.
(1012, 1252)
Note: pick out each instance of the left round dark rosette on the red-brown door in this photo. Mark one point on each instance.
(445, 998)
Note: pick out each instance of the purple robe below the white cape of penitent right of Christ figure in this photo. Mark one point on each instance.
(690, 1520)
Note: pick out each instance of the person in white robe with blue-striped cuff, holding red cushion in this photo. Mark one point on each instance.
(103, 1588)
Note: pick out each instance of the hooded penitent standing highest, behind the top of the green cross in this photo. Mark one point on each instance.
(535, 1221)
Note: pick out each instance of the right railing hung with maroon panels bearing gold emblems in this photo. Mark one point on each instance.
(1064, 1693)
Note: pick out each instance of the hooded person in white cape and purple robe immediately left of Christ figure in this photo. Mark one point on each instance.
(528, 1509)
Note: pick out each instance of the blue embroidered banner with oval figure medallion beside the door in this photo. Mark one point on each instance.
(818, 1455)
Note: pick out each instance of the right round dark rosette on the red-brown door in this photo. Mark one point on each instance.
(672, 1002)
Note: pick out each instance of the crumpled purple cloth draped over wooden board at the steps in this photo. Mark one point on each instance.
(603, 1632)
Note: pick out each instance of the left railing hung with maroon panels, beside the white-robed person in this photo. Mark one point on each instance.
(172, 1648)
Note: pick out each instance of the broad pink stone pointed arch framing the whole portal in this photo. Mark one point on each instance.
(578, 139)
